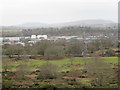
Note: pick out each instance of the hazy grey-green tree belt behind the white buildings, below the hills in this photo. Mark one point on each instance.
(71, 30)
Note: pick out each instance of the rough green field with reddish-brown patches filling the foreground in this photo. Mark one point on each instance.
(72, 73)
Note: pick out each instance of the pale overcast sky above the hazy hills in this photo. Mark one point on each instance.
(14, 12)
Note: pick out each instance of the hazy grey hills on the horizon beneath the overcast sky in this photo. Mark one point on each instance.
(92, 22)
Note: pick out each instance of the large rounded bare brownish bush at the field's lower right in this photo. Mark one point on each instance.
(100, 71)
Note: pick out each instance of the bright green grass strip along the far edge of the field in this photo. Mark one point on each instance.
(64, 64)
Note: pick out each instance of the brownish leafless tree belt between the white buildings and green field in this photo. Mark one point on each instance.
(60, 48)
